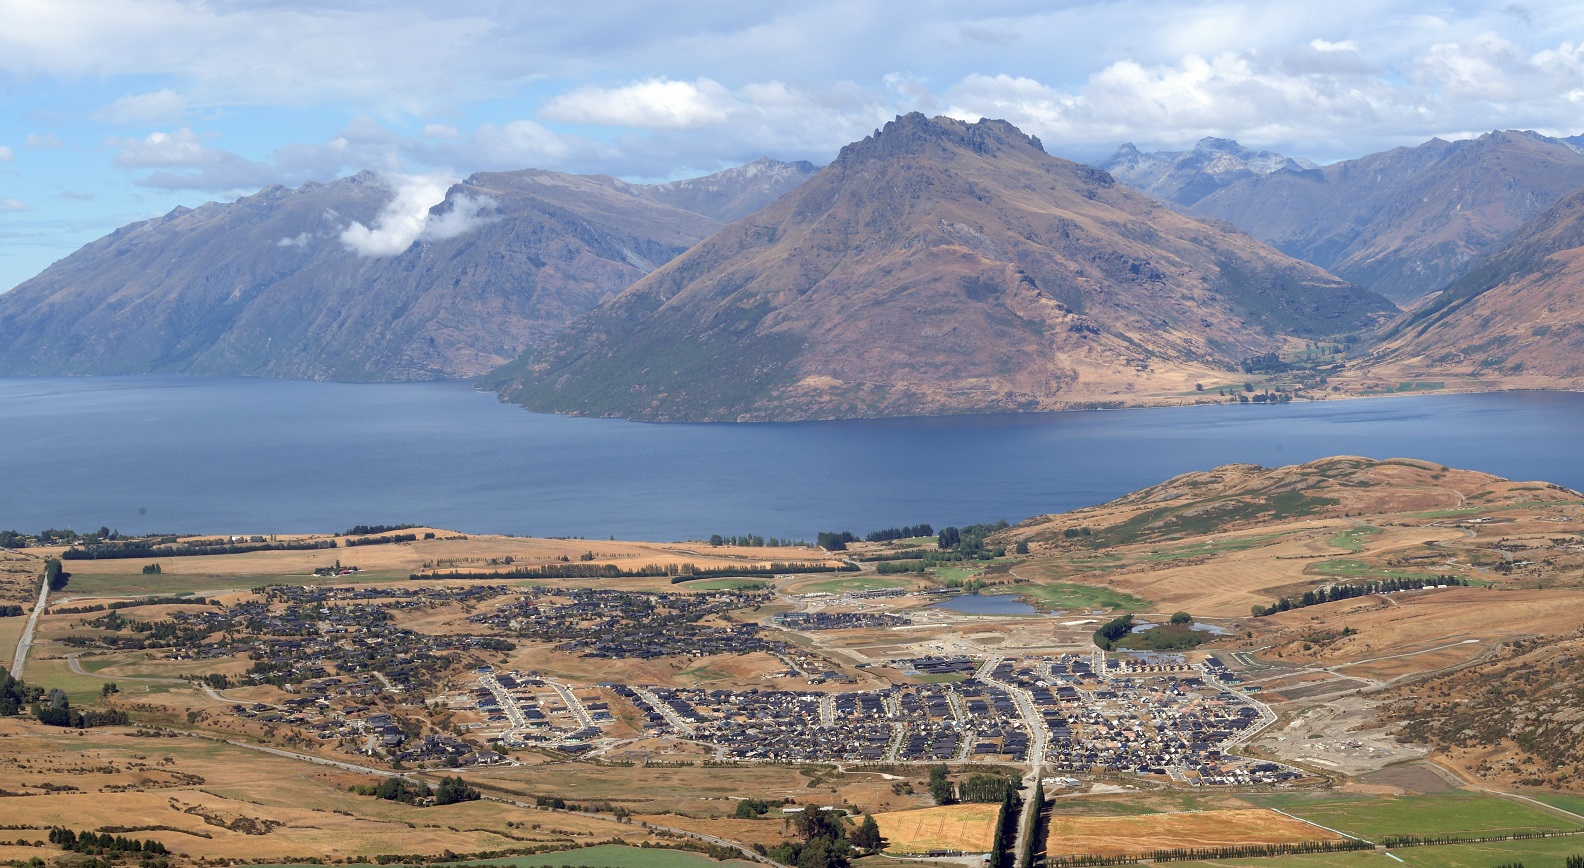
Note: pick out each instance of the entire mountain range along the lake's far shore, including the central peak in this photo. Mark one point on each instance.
(937, 267)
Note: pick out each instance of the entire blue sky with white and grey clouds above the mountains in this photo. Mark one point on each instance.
(115, 112)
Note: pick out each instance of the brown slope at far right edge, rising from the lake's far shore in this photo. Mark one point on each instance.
(1517, 321)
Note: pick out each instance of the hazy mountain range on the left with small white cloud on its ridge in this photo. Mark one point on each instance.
(268, 286)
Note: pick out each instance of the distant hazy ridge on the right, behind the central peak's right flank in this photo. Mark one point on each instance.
(1409, 221)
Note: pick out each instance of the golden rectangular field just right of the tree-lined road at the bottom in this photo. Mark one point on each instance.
(1198, 829)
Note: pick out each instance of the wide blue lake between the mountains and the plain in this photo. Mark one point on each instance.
(240, 455)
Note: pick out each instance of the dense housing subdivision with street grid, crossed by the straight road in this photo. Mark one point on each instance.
(1157, 715)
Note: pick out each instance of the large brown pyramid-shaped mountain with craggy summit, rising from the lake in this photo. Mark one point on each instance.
(937, 268)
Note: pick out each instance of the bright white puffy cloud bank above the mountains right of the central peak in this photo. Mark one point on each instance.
(1295, 99)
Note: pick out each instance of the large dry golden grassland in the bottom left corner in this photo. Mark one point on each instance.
(211, 801)
